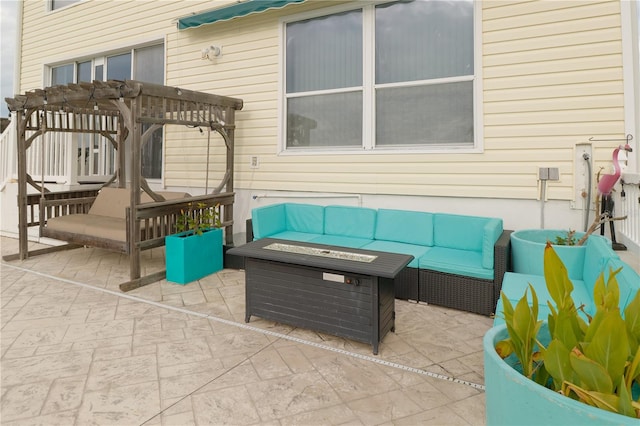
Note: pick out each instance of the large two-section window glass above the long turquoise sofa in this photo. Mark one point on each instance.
(396, 75)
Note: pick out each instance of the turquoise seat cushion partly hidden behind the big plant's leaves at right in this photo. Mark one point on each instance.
(515, 284)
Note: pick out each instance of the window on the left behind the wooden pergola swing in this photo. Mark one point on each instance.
(143, 64)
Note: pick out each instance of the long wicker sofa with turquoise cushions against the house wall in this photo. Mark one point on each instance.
(459, 261)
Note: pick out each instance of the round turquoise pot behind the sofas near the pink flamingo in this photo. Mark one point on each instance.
(527, 251)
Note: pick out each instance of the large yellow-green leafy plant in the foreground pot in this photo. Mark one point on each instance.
(596, 361)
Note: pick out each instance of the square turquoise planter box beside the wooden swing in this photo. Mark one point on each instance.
(191, 257)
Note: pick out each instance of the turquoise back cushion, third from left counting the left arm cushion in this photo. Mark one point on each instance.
(347, 221)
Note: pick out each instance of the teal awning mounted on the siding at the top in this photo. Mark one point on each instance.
(231, 11)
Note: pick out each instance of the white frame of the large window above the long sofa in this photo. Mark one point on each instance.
(368, 89)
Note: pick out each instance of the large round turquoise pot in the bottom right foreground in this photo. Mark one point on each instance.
(512, 399)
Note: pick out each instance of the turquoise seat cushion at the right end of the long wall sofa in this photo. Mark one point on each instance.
(455, 261)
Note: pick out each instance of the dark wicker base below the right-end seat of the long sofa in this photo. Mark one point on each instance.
(457, 292)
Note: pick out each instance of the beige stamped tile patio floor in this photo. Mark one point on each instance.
(77, 351)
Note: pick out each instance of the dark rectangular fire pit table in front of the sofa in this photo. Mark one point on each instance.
(341, 291)
